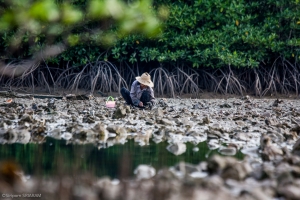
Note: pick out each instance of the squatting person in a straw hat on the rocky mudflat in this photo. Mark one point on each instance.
(141, 93)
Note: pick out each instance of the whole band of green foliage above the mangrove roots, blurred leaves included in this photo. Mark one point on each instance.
(199, 33)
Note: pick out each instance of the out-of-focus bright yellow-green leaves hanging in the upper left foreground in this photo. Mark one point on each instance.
(46, 16)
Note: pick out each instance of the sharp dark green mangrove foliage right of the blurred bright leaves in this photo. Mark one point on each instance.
(217, 33)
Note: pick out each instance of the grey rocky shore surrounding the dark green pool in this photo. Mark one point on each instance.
(265, 130)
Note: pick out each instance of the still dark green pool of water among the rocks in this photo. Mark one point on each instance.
(55, 157)
